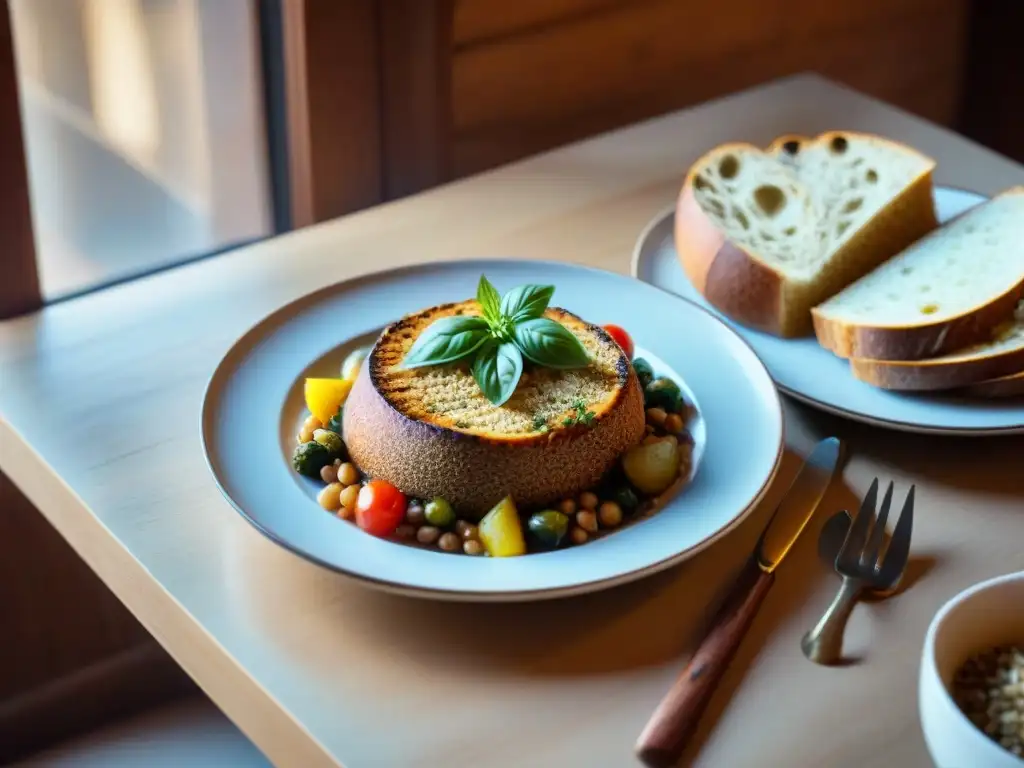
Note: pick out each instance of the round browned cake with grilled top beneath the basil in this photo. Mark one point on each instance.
(431, 432)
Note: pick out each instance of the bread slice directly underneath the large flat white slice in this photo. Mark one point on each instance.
(1002, 356)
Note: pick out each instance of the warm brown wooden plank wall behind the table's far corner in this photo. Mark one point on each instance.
(534, 74)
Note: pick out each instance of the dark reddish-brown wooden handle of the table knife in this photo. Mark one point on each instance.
(666, 735)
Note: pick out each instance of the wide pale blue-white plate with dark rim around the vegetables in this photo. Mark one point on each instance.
(254, 401)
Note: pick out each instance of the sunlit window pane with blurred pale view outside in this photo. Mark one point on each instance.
(144, 132)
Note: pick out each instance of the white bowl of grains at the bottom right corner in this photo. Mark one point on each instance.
(971, 694)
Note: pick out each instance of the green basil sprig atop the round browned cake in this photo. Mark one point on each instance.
(511, 328)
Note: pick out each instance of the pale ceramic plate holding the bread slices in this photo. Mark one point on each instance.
(809, 373)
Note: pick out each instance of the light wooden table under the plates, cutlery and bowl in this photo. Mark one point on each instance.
(100, 416)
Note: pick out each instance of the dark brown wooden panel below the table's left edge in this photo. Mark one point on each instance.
(71, 655)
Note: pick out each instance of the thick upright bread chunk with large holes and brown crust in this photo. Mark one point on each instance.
(766, 235)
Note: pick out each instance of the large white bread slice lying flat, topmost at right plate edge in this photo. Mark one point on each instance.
(946, 292)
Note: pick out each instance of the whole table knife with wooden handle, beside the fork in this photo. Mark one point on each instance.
(669, 730)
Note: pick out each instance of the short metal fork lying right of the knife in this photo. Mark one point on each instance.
(863, 567)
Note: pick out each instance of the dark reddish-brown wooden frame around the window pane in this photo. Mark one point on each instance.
(357, 111)
